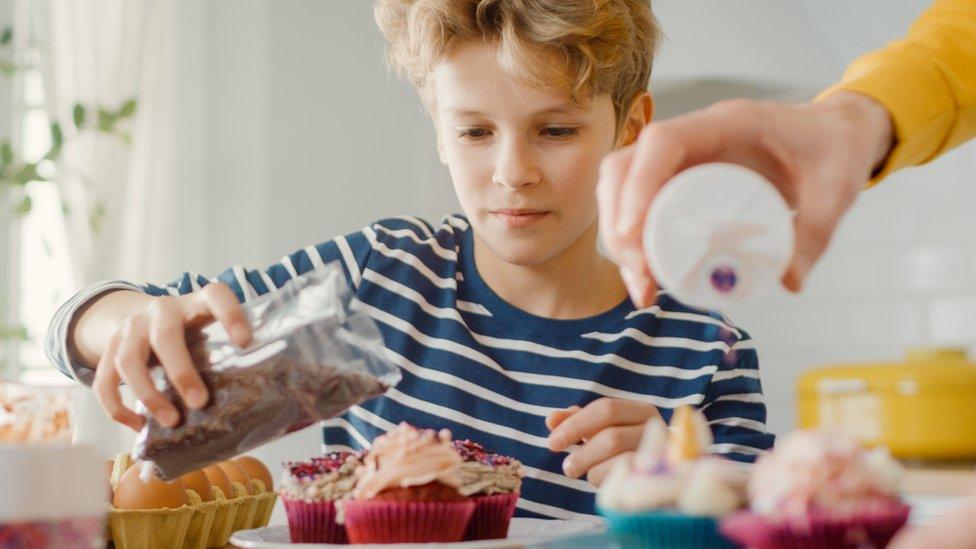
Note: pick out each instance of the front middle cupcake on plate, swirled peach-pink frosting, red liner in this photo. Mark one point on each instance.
(408, 491)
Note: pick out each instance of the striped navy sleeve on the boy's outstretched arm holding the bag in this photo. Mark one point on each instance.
(351, 251)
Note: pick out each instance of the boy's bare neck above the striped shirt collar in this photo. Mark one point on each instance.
(578, 283)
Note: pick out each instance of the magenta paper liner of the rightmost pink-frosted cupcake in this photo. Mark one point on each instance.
(863, 530)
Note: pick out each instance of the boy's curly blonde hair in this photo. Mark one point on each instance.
(589, 47)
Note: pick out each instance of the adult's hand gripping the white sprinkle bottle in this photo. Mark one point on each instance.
(819, 155)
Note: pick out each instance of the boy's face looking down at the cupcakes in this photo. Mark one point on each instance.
(524, 160)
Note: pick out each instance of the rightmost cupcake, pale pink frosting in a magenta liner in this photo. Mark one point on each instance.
(821, 490)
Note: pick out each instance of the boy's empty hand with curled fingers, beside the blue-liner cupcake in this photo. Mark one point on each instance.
(607, 428)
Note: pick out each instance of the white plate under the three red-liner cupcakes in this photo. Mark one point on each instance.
(523, 531)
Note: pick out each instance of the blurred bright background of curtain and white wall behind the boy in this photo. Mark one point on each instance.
(142, 138)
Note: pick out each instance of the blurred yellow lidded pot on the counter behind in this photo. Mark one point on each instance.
(923, 408)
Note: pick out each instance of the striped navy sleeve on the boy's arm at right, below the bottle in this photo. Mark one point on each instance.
(735, 407)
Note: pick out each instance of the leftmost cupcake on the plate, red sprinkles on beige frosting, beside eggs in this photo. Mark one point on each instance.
(310, 489)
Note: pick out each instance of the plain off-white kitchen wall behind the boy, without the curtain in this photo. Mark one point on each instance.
(312, 138)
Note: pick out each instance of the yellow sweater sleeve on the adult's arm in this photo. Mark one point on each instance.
(927, 81)
